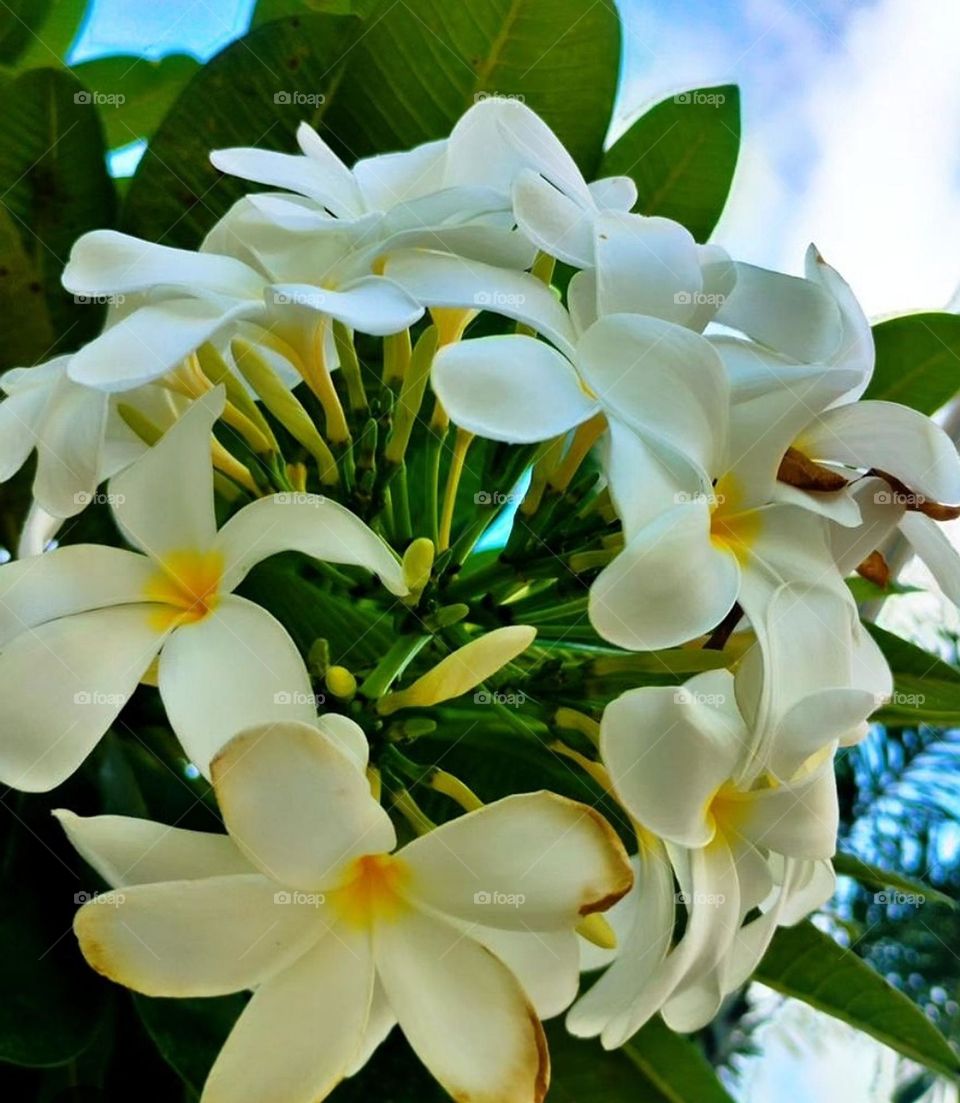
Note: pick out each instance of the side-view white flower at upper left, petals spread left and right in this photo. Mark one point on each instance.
(180, 299)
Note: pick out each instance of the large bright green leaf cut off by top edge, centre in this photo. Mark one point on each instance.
(434, 59)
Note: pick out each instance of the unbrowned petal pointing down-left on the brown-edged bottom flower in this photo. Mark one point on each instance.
(296, 1038)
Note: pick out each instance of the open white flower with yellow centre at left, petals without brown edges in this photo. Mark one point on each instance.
(81, 626)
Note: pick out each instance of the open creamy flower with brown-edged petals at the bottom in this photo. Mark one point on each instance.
(465, 937)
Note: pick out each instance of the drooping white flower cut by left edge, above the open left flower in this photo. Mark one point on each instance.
(66, 423)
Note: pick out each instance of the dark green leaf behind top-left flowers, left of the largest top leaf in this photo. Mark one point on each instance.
(254, 93)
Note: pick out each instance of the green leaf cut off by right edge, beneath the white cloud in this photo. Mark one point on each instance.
(918, 361)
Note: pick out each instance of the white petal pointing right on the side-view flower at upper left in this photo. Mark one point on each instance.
(371, 305)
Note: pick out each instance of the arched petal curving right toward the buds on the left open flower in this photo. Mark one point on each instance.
(307, 523)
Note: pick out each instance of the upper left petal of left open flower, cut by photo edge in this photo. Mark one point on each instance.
(68, 581)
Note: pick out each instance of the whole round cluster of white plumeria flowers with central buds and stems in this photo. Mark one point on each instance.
(698, 476)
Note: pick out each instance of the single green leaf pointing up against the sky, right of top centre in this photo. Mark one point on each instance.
(682, 155)
